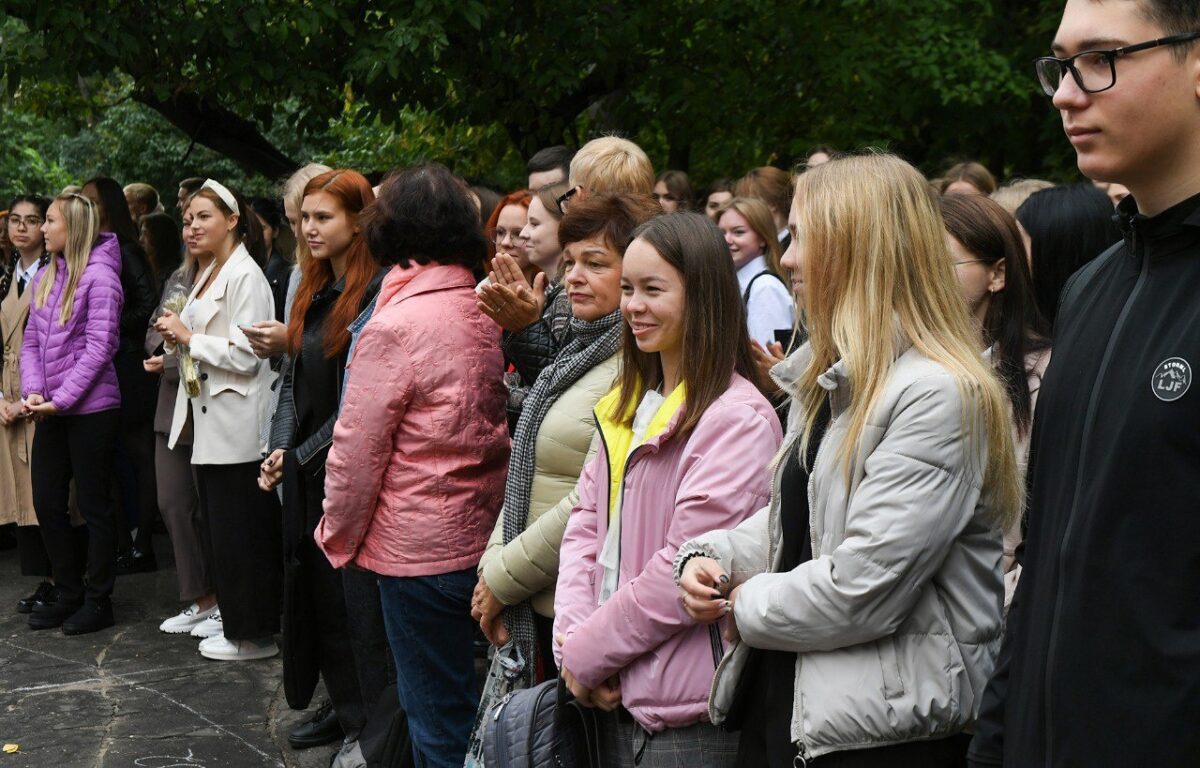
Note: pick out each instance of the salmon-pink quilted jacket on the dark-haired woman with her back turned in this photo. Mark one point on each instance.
(416, 476)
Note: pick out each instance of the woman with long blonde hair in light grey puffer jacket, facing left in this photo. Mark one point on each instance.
(868, 595)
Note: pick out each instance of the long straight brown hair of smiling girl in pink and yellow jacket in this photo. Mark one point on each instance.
(716, 340)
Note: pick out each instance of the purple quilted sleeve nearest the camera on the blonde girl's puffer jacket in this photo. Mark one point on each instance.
(103, 295)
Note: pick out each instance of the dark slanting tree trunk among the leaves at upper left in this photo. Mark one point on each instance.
(224, 131)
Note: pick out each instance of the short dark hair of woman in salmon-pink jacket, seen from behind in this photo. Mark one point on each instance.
(424, 214)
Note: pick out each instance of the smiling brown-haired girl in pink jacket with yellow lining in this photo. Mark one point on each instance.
(686, 440)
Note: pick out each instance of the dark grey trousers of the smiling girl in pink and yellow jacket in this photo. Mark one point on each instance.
(626, 745)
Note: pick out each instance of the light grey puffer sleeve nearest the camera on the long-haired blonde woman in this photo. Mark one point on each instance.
(919, 494)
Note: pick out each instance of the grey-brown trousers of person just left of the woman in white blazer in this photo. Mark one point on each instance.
(182, 514)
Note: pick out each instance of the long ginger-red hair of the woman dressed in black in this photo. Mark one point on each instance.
(353, 194)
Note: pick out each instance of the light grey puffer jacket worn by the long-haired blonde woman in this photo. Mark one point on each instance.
(897, 620)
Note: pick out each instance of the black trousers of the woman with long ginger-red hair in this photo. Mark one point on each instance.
(315, 610)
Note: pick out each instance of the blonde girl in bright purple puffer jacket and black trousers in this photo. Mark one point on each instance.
(70, 387)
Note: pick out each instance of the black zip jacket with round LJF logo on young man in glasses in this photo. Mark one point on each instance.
(1101, 664)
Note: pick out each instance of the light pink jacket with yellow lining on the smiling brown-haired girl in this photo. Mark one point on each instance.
(675, 489)
